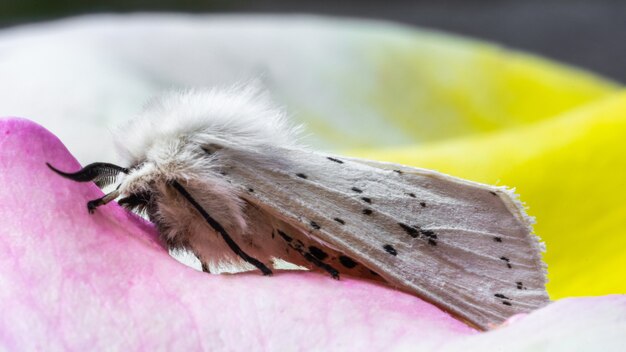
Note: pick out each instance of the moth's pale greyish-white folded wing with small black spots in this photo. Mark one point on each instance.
(464, 246)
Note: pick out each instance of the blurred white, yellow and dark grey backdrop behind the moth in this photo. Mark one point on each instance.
(490, 91)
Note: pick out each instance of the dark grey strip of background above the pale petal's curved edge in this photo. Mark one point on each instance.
(590, 34)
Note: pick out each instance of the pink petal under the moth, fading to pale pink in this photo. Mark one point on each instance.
(76, 281)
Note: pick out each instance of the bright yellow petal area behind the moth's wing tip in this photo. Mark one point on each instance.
(570, 170)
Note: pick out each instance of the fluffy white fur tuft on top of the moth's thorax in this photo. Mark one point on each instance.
(239, 117)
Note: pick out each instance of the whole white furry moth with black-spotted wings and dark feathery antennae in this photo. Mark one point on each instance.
(221, 173)
